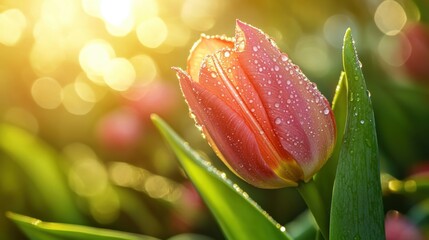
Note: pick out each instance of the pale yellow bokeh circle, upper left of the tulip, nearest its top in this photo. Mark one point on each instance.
(152, 32)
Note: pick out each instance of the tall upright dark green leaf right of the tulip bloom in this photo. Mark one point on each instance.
(357, 207)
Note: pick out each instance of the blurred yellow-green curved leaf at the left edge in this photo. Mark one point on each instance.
(39, 162)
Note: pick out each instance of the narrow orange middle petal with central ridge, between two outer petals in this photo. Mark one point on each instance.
(222, 75)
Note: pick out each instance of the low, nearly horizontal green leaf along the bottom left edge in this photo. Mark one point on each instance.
(38, 230)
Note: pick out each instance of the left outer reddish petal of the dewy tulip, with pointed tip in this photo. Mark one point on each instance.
(225, 129)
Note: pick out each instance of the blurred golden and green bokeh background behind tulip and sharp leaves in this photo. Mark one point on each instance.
(80, 78)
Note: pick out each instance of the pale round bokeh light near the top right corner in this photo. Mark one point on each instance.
(390, 17)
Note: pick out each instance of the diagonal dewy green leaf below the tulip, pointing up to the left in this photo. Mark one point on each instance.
(238, 215)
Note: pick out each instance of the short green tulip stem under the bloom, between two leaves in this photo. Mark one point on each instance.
(314, 201)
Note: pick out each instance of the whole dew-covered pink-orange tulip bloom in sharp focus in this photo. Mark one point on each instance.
(263, 118)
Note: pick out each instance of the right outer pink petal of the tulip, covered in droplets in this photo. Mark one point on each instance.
(298, 112)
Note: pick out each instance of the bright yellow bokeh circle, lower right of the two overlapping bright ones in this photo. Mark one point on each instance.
(119, 74)
